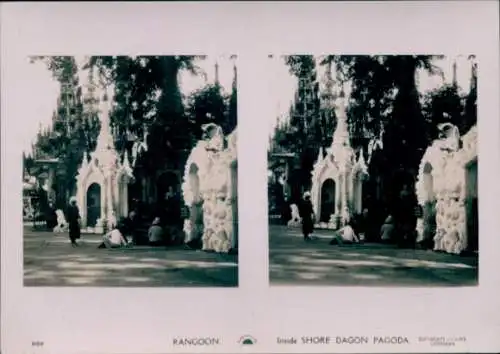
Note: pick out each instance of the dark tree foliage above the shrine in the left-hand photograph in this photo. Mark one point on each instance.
(147, 98)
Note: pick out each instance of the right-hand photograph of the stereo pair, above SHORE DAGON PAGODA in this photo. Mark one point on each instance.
(372, 170)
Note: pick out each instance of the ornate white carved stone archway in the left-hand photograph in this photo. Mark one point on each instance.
(210, 191)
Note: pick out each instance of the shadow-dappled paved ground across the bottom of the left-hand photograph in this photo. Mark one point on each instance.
(49, 260)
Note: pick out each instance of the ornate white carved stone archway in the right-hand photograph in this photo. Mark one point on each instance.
(442, 188)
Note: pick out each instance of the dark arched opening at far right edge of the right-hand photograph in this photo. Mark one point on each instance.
(472, 206)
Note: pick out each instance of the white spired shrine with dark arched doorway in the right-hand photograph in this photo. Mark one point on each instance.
(337, 176)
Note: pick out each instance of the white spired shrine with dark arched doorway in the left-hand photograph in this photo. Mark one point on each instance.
(102, 180)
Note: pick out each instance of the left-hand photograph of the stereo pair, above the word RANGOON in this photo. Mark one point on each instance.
(130, 171)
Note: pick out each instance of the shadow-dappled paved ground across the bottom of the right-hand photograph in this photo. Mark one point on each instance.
(296, 262)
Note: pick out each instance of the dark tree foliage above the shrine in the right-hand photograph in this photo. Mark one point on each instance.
(384, 101)
